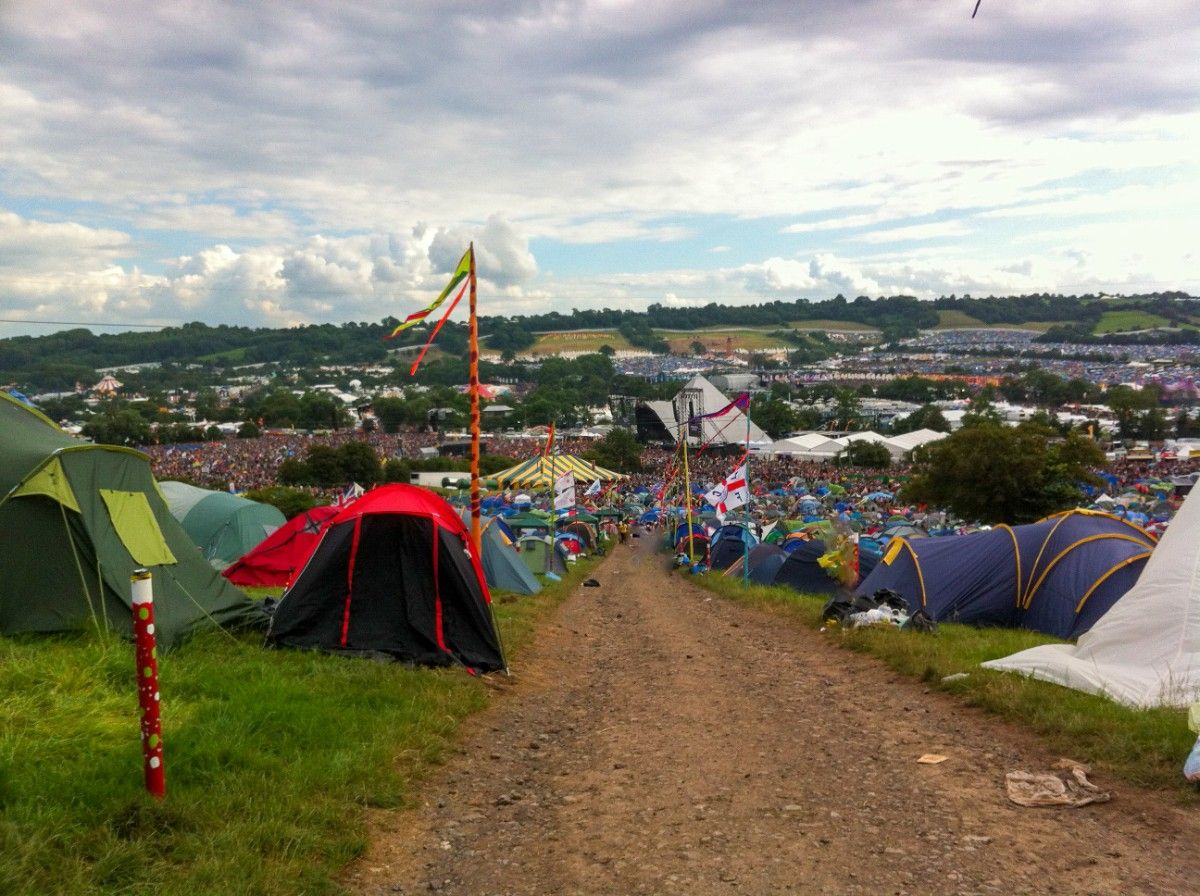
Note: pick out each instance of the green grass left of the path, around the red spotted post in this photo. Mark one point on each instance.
(272, 757)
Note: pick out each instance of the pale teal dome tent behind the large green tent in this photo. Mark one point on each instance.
(223, 526)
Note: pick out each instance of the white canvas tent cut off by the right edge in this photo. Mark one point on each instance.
(1145, 652)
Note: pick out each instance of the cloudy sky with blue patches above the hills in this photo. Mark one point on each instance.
(280, 164)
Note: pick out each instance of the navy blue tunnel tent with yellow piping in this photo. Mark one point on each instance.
(1057, 576)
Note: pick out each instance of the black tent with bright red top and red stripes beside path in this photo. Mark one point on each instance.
(394, 575)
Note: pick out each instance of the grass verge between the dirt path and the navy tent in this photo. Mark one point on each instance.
(1145, 748)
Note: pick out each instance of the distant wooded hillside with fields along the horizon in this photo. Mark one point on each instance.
(59, 360)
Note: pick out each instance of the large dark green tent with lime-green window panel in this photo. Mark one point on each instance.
(76, 520)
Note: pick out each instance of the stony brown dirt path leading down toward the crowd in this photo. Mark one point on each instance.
(662, 741)
